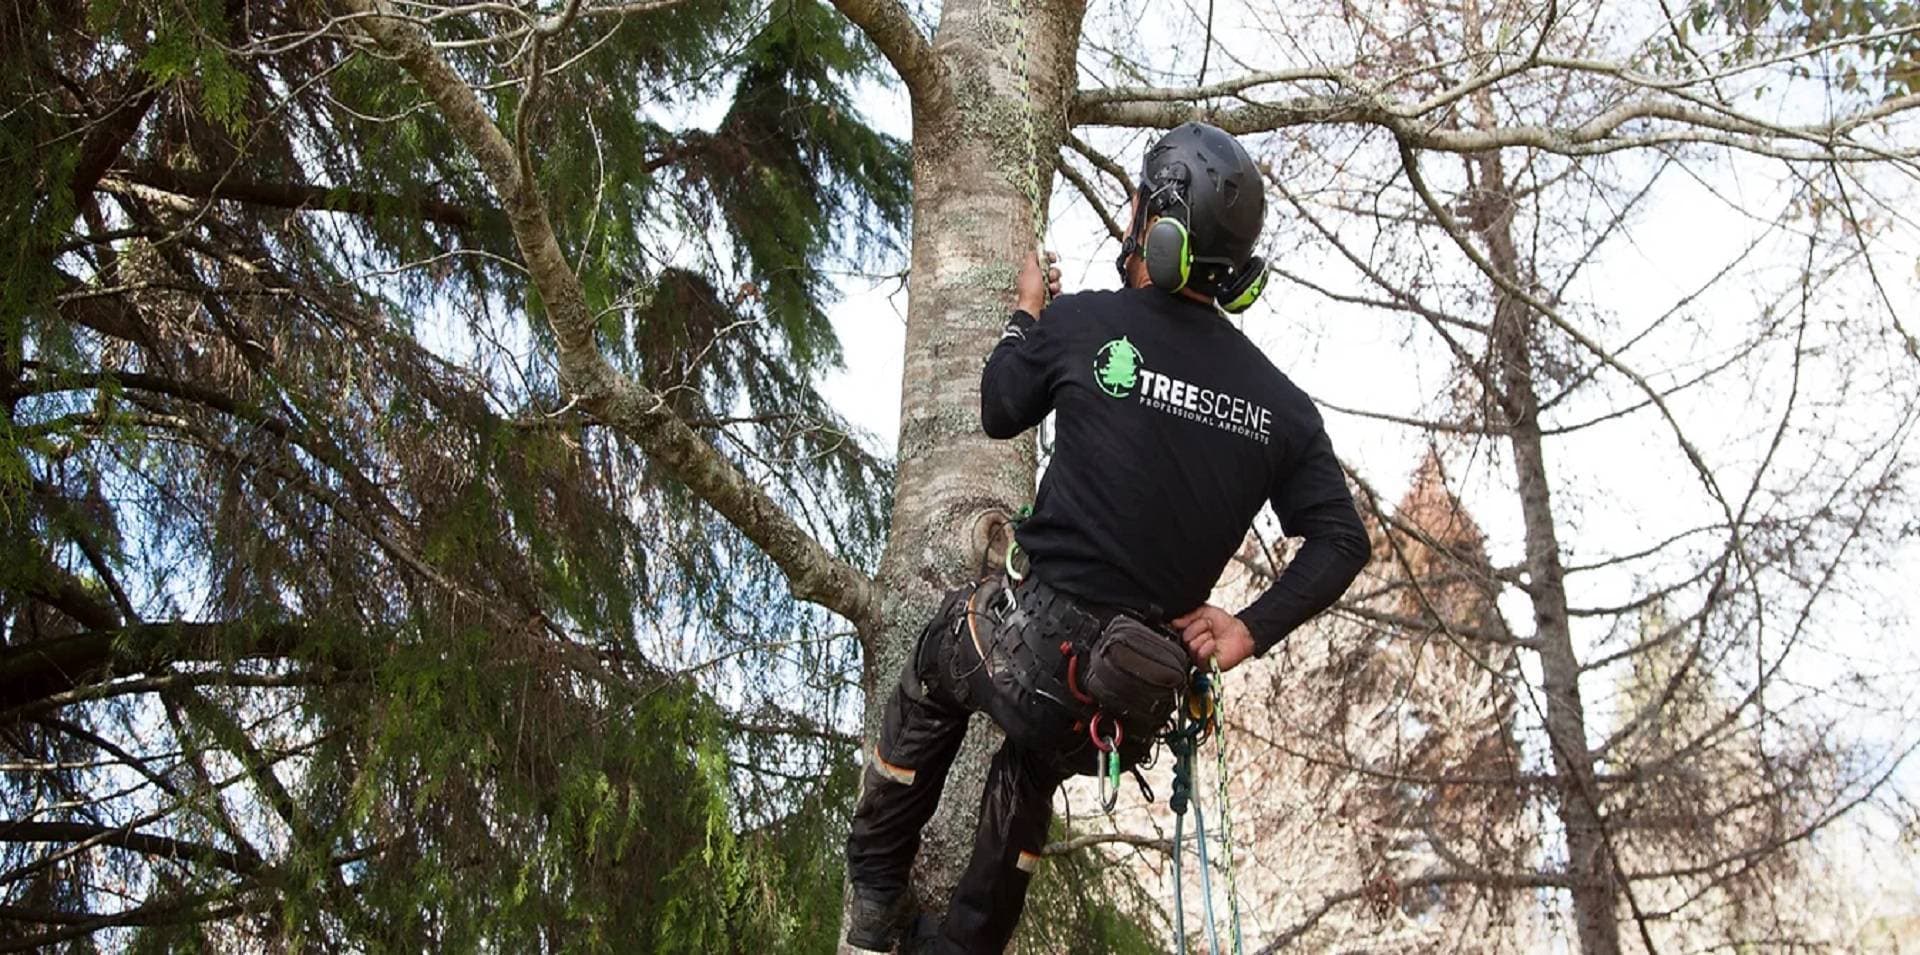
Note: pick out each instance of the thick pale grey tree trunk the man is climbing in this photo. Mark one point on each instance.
(972, 220)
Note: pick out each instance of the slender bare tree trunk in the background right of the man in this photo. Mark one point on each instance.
(1589, 858)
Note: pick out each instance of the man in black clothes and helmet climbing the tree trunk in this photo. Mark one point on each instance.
(1172, 431)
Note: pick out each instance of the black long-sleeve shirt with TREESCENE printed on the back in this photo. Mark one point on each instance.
(1172, 431)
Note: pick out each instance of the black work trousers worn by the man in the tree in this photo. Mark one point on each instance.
(942, 685)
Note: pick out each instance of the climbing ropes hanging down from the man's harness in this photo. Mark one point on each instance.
(1199, 722)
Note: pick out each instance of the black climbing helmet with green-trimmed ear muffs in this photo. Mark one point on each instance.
(1201, 210)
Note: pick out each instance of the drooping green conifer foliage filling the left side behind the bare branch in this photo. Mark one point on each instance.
(327, 620)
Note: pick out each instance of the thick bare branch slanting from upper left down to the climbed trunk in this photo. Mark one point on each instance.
(610, 397)
